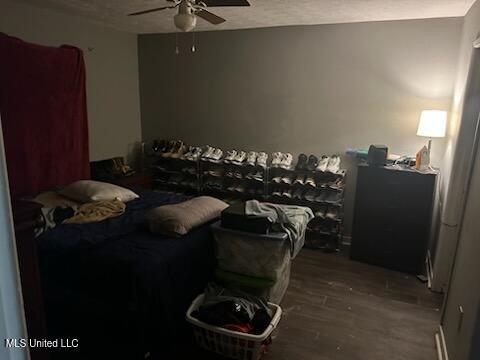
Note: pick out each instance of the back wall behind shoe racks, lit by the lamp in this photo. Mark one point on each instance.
(314, 89)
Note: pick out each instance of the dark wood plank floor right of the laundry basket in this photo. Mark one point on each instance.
(339, 309)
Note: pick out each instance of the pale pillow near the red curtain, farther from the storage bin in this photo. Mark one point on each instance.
(89, 190)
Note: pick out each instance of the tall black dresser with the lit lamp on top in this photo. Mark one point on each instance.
(393, 215)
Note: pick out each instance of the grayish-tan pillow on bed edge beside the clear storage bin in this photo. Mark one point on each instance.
(179, 219)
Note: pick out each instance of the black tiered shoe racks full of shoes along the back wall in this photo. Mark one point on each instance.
(231, 182)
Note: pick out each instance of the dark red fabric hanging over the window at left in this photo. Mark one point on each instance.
(44, 115)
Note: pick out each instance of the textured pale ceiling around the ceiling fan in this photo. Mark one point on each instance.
(262, 13)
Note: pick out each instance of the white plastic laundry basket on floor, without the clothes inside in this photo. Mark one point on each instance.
(232, 344)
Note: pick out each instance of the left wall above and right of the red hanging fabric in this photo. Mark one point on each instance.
(112, 71)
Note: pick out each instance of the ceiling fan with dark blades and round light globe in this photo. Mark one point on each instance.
(188, 10)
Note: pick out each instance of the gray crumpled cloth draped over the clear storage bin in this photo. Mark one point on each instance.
(291, 219)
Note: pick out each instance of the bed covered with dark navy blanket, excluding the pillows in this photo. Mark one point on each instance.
(120, 288)
